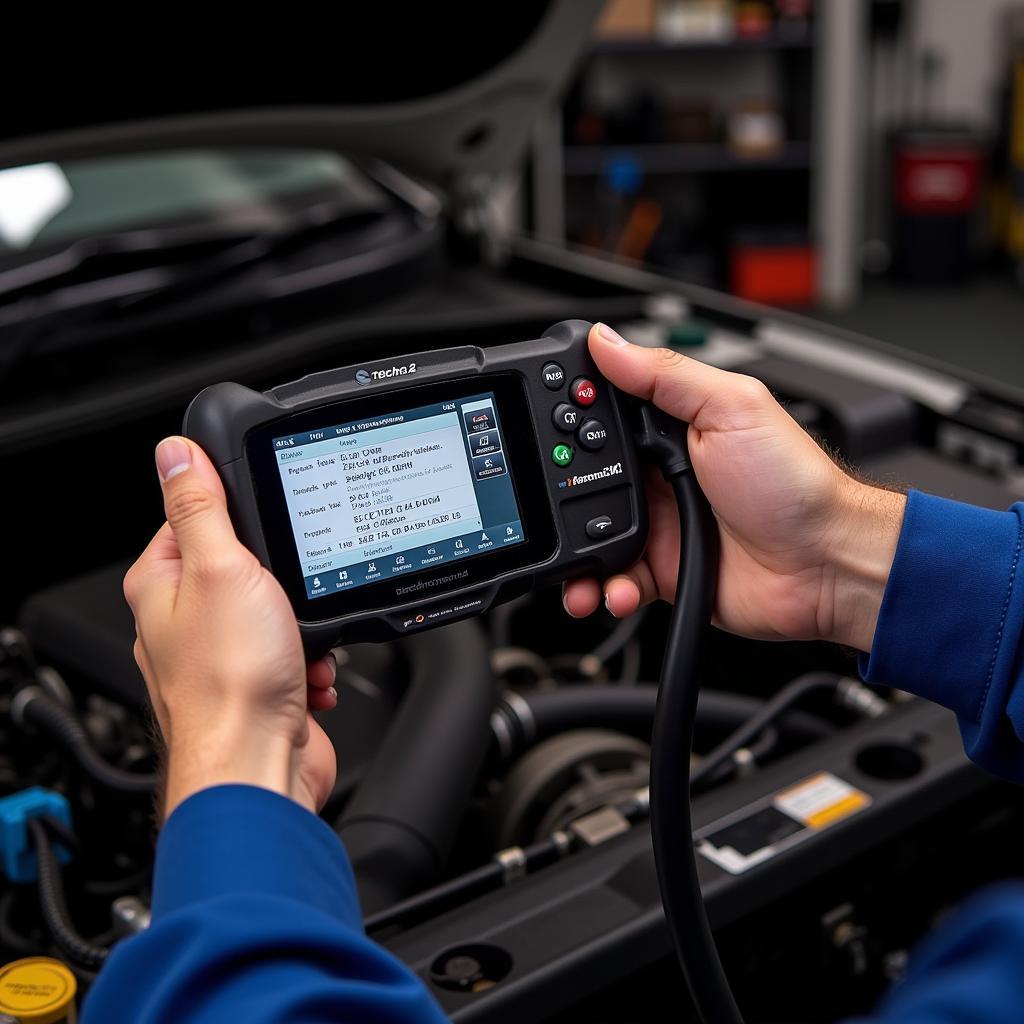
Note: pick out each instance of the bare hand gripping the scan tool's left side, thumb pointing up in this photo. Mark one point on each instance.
(221, 651)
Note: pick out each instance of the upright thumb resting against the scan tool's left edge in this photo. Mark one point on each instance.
(194, 501)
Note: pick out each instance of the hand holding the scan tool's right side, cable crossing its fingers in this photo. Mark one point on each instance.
(806, 549)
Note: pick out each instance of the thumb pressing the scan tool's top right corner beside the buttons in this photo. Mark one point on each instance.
(676, 385)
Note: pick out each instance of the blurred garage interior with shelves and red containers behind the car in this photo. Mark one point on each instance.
(864, 162)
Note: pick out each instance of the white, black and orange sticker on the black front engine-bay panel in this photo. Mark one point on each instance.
(754, 835)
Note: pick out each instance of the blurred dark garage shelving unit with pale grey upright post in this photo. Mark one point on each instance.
(808, 185)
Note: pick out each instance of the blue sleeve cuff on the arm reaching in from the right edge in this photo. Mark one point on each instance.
(952, 621)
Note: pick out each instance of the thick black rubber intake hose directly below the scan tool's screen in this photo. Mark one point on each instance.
(400, 826)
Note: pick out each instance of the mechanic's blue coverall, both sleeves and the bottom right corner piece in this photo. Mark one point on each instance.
(255, 914)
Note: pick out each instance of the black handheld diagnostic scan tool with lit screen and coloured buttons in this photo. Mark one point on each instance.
(404, 494)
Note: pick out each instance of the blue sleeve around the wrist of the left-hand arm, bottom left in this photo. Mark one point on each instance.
(255, 919)
